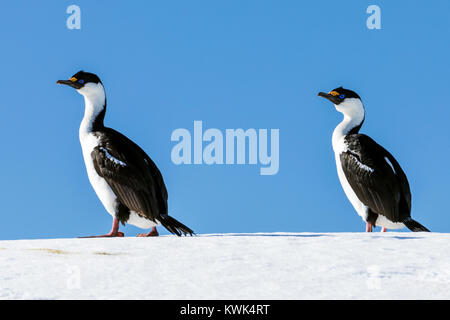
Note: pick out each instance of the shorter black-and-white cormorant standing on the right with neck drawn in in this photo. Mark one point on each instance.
(372, 179)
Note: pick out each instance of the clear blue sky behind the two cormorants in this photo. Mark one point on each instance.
(231, 64)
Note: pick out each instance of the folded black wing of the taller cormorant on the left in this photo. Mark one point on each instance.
(131, 174)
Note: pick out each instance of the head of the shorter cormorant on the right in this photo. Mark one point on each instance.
(346, 101)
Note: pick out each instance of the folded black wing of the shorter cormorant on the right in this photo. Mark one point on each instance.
(376, 178)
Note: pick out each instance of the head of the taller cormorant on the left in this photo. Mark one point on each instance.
(86, 83)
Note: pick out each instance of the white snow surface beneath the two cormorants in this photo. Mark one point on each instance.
(230, 266)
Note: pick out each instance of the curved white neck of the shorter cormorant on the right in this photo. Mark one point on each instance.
(353, 111)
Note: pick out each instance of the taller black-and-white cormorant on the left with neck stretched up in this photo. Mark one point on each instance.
(126, 180)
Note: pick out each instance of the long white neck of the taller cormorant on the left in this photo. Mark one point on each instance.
(95, 104)
